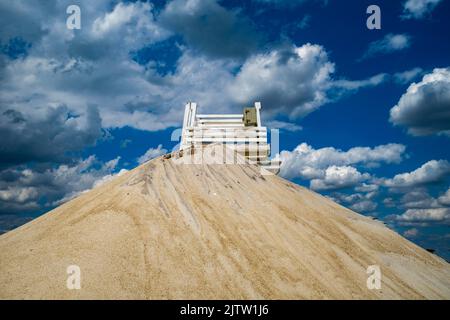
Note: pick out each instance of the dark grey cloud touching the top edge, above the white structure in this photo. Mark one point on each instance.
(210, 28)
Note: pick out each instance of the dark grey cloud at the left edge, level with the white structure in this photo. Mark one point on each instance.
(48, 137)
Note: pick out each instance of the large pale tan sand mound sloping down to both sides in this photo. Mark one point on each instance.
(175, 231)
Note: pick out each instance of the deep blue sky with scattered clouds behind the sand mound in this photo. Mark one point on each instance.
(364, 114)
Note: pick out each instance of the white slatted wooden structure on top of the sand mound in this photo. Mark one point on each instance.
(240, 132)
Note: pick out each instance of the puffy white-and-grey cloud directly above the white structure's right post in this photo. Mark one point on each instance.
(291, 80)
